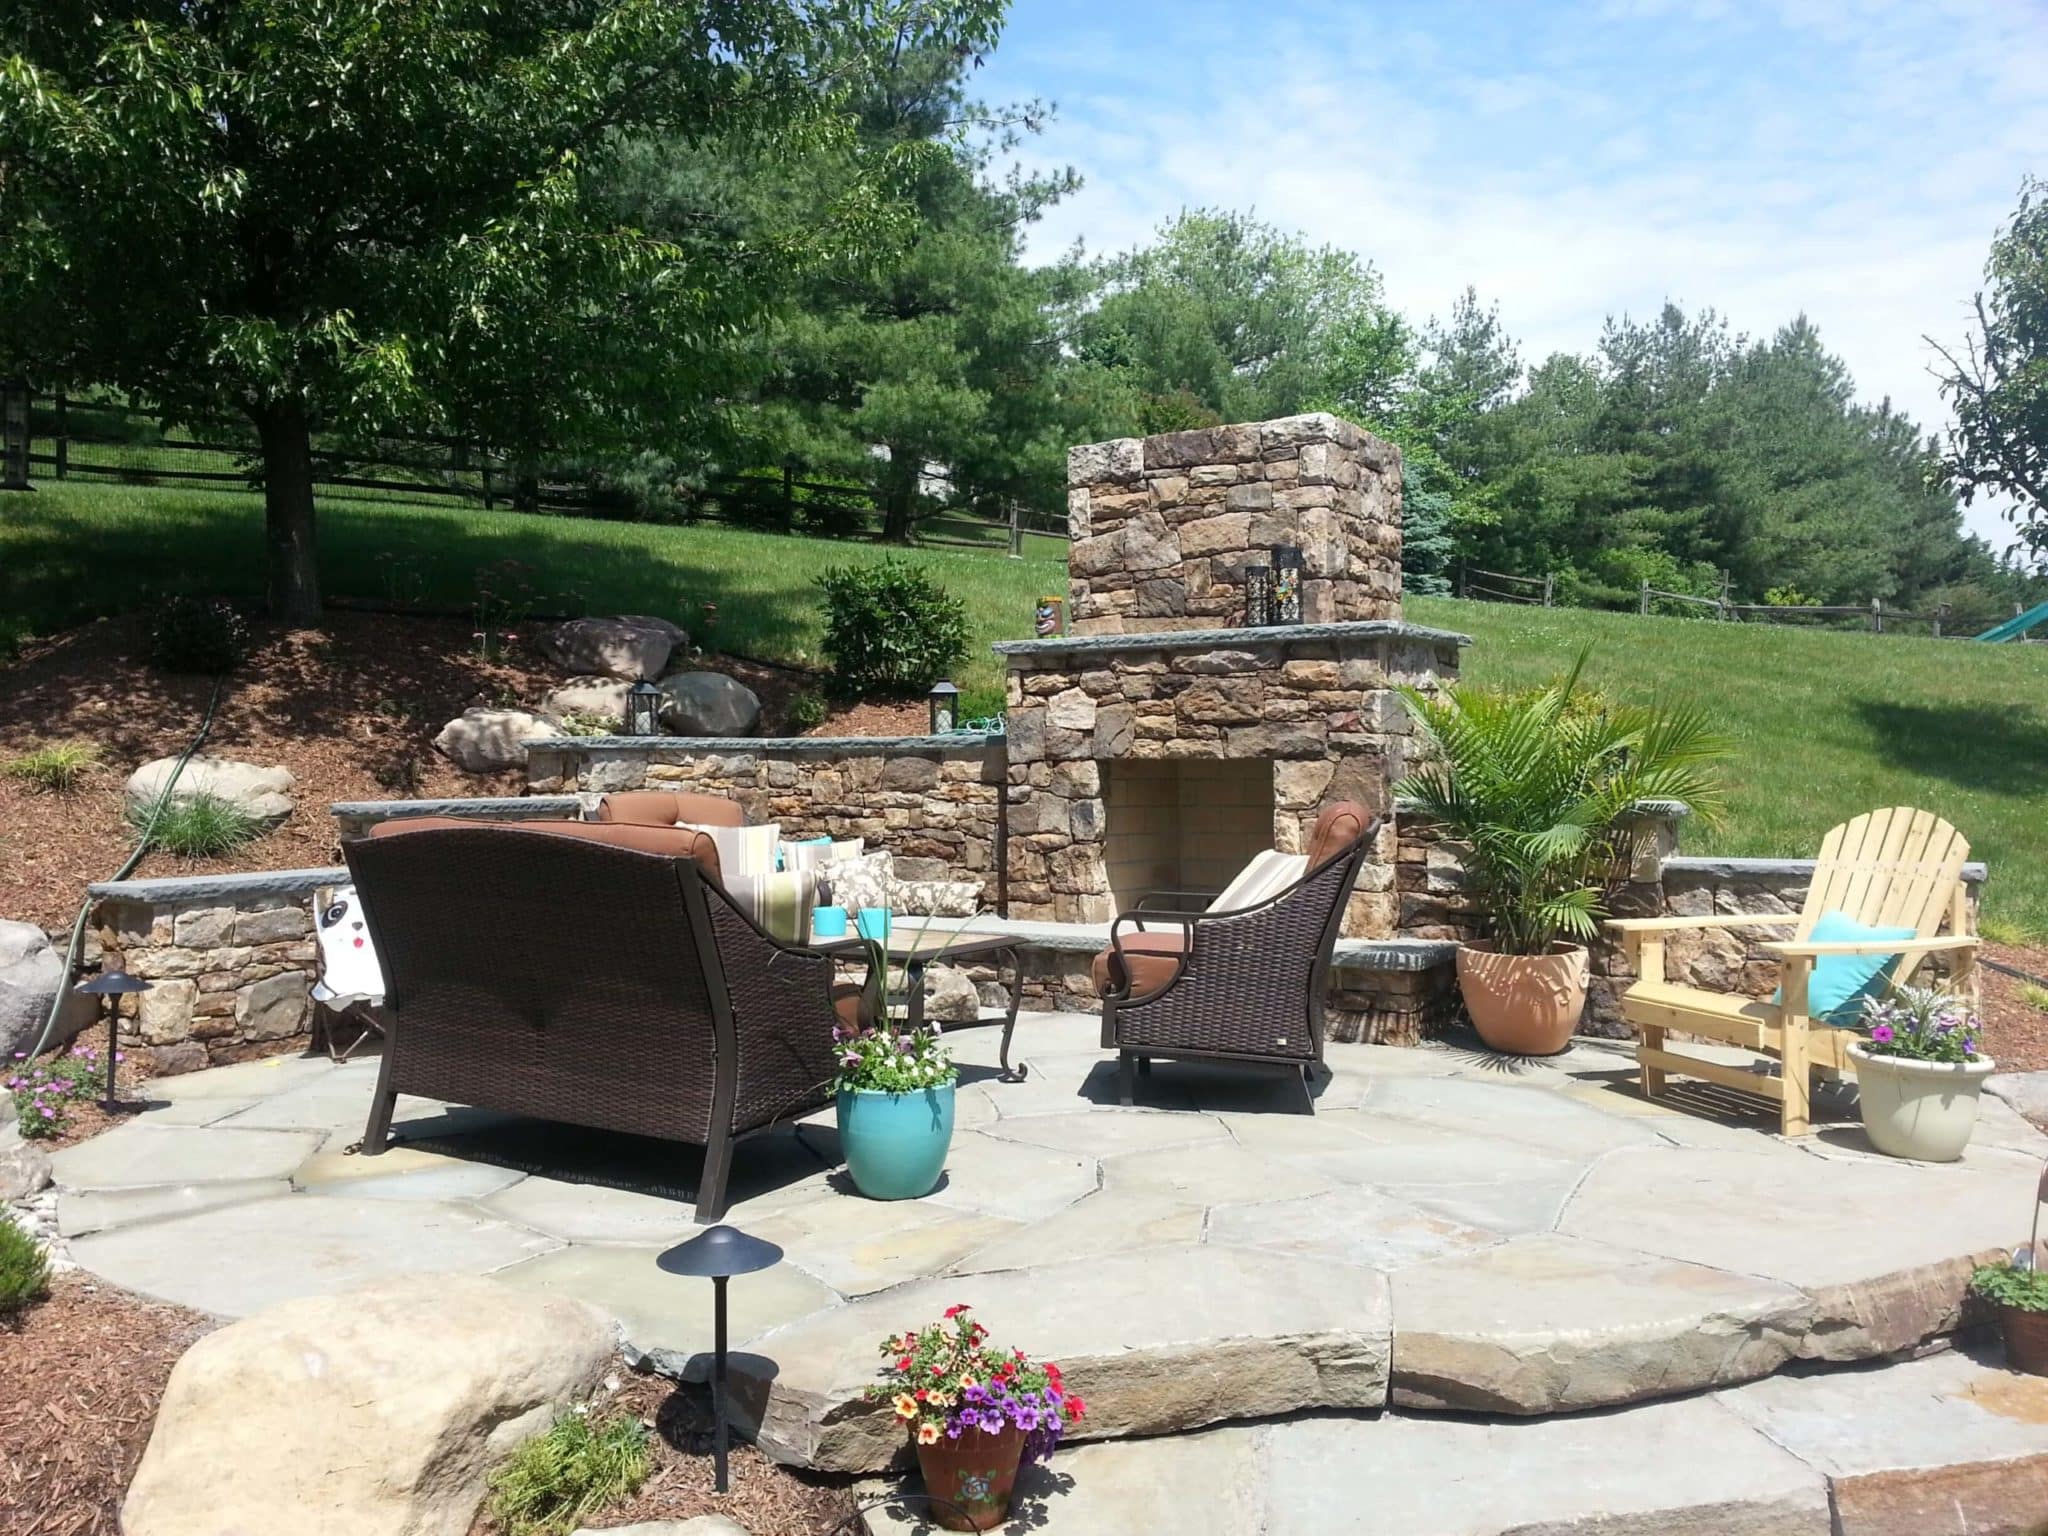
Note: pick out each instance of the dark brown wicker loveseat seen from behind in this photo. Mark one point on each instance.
(562, 976)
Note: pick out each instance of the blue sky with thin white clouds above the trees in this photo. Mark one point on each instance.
(1844, 159)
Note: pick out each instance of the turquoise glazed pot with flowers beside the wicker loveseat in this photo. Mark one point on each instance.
(896, 1109)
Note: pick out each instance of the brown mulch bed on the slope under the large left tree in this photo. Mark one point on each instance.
(351, 710)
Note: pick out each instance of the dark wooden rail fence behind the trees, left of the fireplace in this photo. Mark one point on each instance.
(110, 441)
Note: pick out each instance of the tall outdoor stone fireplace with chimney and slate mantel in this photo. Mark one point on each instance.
(1162, 742)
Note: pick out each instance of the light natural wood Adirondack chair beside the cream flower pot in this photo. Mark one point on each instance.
(1895, 869)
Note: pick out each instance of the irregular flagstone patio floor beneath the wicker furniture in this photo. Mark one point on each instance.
(1449, 1232)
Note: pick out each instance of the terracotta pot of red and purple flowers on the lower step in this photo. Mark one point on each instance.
(976, 1414)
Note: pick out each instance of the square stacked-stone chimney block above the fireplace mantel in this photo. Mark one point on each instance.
(1162, 527)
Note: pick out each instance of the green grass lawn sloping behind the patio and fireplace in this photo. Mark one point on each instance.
(1826, 724)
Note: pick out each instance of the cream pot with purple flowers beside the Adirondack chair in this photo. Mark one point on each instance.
(1918, 1074)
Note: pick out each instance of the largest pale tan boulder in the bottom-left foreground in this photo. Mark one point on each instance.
(376, 1414)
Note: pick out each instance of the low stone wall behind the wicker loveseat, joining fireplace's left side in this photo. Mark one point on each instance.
(931, 802)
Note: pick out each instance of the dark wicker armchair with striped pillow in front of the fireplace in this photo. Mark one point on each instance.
(1236, 986)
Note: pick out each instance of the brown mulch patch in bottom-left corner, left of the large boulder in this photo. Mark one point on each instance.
(81, 1377)
